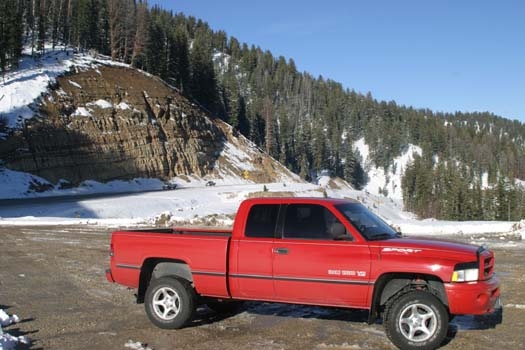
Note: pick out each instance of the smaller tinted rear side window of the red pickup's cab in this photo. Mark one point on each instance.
(262, 220)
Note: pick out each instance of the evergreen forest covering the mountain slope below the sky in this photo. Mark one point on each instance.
(469, 161)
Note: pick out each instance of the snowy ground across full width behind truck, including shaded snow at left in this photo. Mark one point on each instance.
(143, 202)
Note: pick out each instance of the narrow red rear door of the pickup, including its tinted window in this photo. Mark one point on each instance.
(251, 270)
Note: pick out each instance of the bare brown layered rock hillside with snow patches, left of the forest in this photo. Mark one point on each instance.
(104, 122)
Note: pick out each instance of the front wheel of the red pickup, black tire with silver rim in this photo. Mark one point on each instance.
(416, 320)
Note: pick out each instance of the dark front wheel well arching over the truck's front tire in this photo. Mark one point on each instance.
(389, 285)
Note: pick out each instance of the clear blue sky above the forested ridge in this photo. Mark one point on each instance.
(444, 55)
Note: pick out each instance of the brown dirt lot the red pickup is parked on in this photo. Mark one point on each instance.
(53, 279)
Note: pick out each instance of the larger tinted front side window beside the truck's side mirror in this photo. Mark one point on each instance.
(309, 221)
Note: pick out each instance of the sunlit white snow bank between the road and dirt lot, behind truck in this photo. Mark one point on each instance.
(192, 202)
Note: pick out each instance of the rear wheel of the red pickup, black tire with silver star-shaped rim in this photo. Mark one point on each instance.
(169, 302)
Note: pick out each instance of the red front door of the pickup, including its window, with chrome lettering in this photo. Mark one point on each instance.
(310, 266)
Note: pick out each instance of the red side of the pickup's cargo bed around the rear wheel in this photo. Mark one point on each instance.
(204, 251)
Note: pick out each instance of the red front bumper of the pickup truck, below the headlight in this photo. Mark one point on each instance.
(473, 298)
